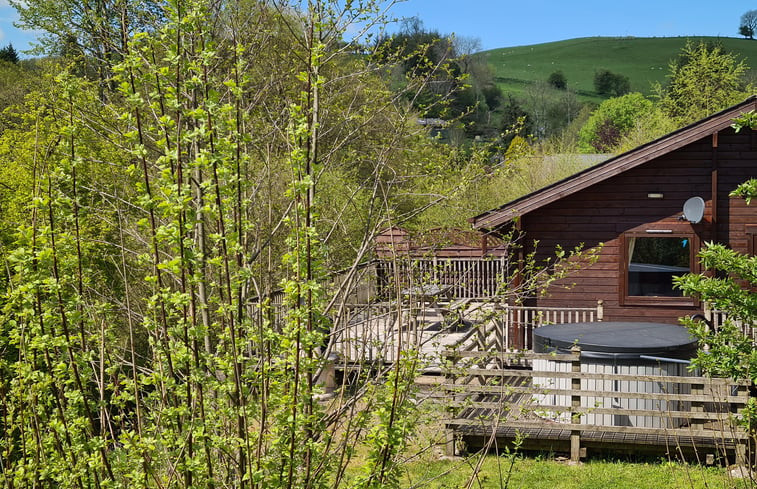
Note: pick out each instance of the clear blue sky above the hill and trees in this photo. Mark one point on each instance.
(504, 23)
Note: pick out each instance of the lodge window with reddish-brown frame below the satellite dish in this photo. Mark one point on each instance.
(651, 262)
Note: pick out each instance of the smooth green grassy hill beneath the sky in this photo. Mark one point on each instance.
(642, 60)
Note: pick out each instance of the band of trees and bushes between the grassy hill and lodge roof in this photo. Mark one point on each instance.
(548, 113)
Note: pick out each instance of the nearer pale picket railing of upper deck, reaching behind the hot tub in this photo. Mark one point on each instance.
(376, 332)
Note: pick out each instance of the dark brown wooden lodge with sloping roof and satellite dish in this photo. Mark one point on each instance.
(633, 204)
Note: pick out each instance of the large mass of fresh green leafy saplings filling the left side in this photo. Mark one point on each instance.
(149, 219)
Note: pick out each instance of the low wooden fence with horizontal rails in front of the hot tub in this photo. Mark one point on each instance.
(566, 399)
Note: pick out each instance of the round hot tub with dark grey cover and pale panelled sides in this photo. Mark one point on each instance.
(628, 348)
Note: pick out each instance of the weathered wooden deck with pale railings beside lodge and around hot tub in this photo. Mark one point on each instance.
(496, 388)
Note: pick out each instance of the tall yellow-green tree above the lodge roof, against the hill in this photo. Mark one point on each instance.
(704, 79)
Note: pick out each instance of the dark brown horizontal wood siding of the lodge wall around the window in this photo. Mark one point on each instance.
(605, 211)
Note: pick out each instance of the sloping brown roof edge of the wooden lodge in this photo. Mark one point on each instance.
(612, 167)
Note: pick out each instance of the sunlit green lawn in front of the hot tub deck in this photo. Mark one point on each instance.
(427, 468)
